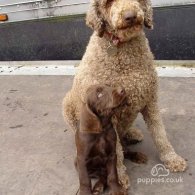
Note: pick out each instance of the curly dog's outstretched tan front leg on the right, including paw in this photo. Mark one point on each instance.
(155, 125)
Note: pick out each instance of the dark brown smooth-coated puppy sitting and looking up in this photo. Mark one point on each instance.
(96, 141)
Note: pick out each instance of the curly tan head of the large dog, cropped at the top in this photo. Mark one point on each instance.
(125, 18)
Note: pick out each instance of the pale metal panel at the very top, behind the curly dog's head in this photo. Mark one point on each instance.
(37, 9)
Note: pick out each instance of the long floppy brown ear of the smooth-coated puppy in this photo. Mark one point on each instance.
(89, 122)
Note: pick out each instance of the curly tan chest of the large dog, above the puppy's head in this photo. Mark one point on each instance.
(132, 68)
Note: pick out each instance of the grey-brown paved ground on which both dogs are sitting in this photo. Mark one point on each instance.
(37, 150)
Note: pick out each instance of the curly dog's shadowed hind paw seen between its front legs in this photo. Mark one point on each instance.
(133, 136)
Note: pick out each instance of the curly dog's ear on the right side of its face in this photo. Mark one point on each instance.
(148, 14)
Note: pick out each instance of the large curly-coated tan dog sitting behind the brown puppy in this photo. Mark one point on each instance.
(118, 54)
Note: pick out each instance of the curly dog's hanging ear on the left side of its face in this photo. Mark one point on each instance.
(94, 19)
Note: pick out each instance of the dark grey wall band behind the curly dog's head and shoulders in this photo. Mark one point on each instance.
(173, 37)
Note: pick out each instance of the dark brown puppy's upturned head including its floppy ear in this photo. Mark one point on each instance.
(101, 100)
